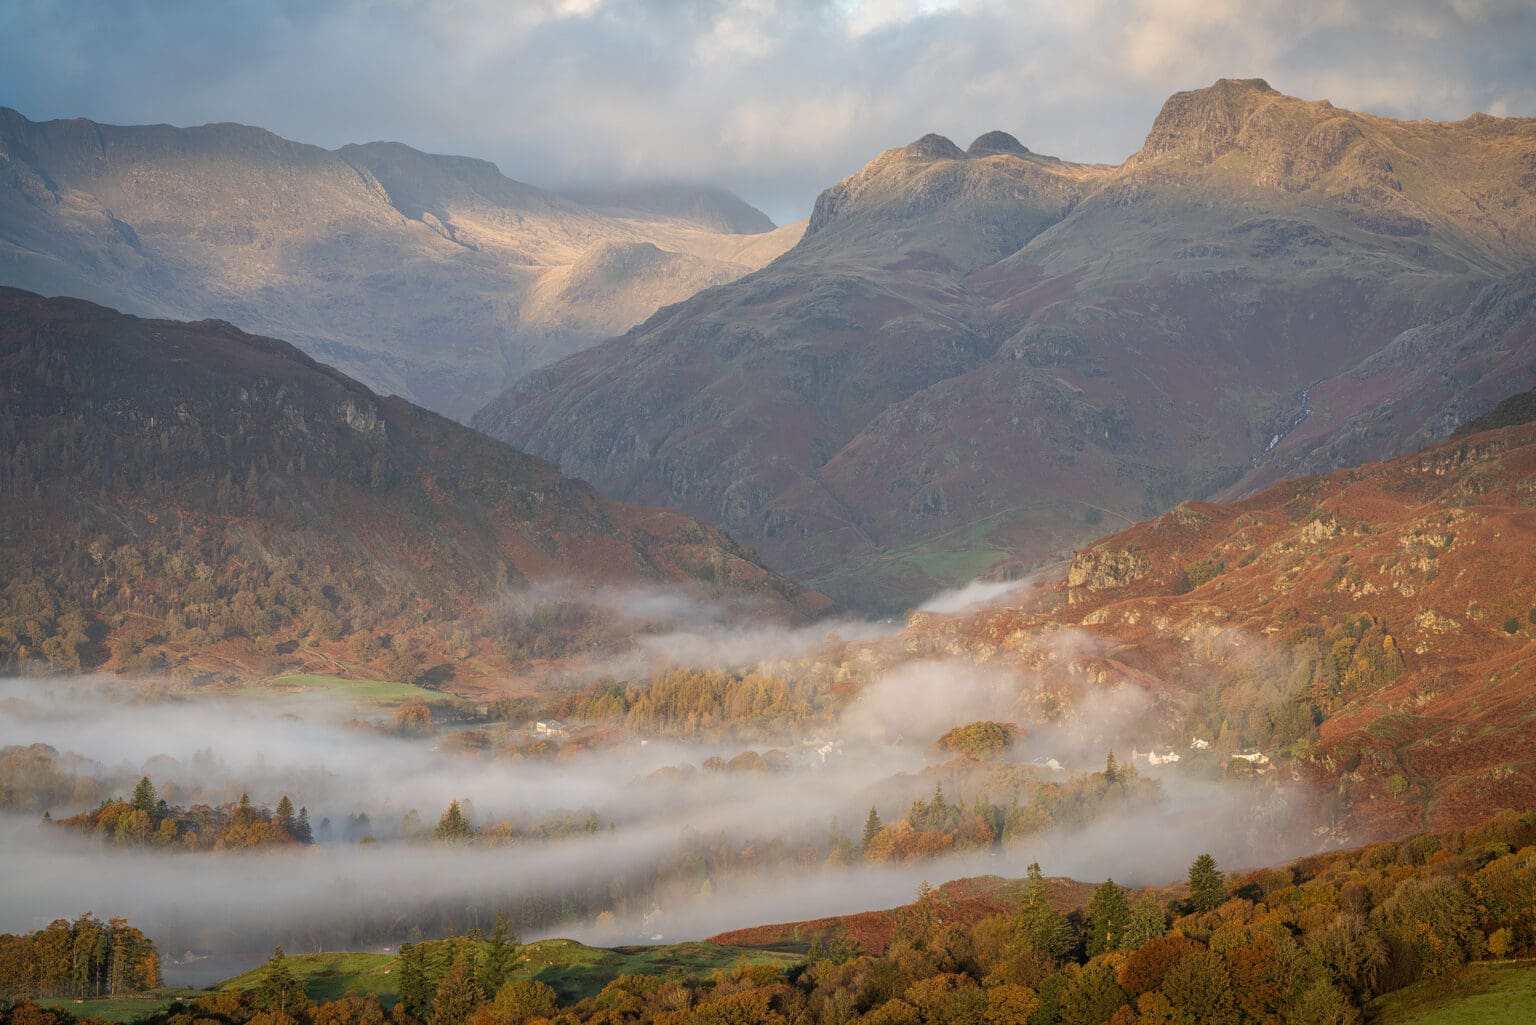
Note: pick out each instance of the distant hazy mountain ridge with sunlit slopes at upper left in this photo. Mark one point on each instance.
(431, 277)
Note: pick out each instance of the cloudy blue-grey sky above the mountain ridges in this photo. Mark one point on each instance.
(775, 101)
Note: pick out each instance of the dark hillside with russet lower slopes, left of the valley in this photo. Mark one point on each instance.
(197, 499)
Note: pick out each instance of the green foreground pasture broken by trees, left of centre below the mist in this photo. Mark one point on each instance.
(574, 970)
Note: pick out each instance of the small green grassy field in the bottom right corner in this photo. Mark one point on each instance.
(1488, 993)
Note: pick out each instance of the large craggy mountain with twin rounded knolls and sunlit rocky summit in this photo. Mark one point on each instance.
(981, 359)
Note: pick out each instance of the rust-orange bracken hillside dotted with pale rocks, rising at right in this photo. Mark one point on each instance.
(1371, 632)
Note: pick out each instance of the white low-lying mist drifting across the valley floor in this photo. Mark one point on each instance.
(678, 841)
